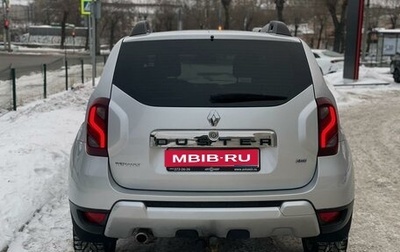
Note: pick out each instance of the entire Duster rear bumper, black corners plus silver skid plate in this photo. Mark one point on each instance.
(294, 218)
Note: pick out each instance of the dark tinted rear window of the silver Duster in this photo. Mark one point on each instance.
(205, 73)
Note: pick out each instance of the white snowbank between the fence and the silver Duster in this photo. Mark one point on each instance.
(34, 146)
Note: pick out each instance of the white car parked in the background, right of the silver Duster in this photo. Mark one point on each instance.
(328, 61)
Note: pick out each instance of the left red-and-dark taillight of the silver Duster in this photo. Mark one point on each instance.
(97, 124)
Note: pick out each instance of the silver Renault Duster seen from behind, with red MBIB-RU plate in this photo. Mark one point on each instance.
(227, 134)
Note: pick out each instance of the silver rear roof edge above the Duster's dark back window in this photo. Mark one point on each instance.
(210, 34)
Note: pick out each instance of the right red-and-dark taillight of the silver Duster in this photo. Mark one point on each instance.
(327, 127)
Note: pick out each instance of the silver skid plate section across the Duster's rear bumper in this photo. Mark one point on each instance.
(295, 218)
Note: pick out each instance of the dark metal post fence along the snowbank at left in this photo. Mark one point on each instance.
(19, 86)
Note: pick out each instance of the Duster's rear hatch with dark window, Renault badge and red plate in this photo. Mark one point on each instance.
(222, 115)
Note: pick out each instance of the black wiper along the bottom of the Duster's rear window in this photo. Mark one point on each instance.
(243, 97)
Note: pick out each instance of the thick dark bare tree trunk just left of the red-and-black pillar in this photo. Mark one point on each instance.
(337, 10)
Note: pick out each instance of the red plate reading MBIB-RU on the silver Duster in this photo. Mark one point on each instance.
(231, 160)
